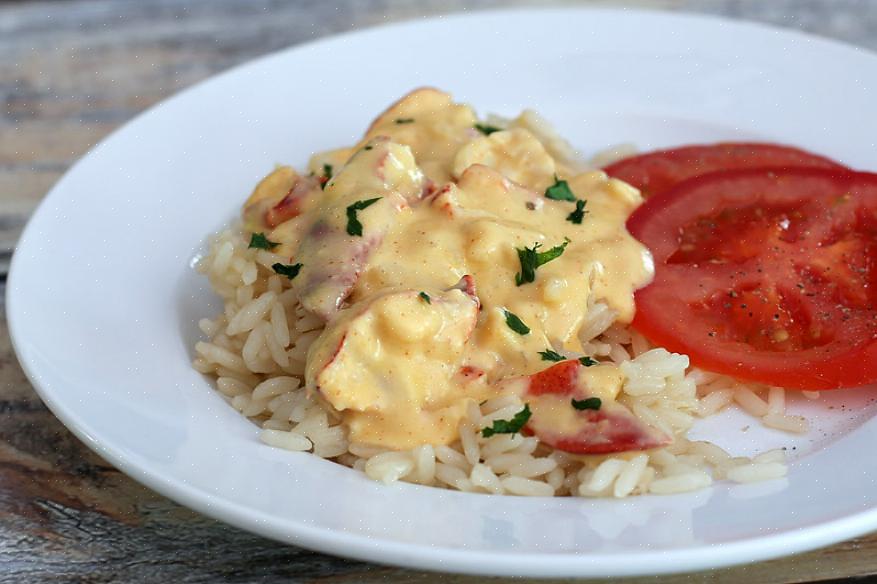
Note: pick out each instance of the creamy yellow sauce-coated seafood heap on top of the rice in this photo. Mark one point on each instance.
(453, 202)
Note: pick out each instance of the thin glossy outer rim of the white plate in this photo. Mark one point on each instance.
(420, 556)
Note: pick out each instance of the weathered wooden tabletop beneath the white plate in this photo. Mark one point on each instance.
(70, 72)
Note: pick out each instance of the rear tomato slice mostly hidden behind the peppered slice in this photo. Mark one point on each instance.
(655, 172)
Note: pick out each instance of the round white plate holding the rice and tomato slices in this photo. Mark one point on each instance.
(103, 301)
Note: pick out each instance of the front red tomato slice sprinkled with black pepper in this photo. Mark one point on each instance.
(769, 275)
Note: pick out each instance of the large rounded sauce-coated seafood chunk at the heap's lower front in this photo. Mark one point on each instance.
(395, 356)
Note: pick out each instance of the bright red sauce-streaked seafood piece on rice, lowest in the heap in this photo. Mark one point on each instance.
(610, 428)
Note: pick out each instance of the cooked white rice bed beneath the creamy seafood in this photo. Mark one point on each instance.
(257, 349)
